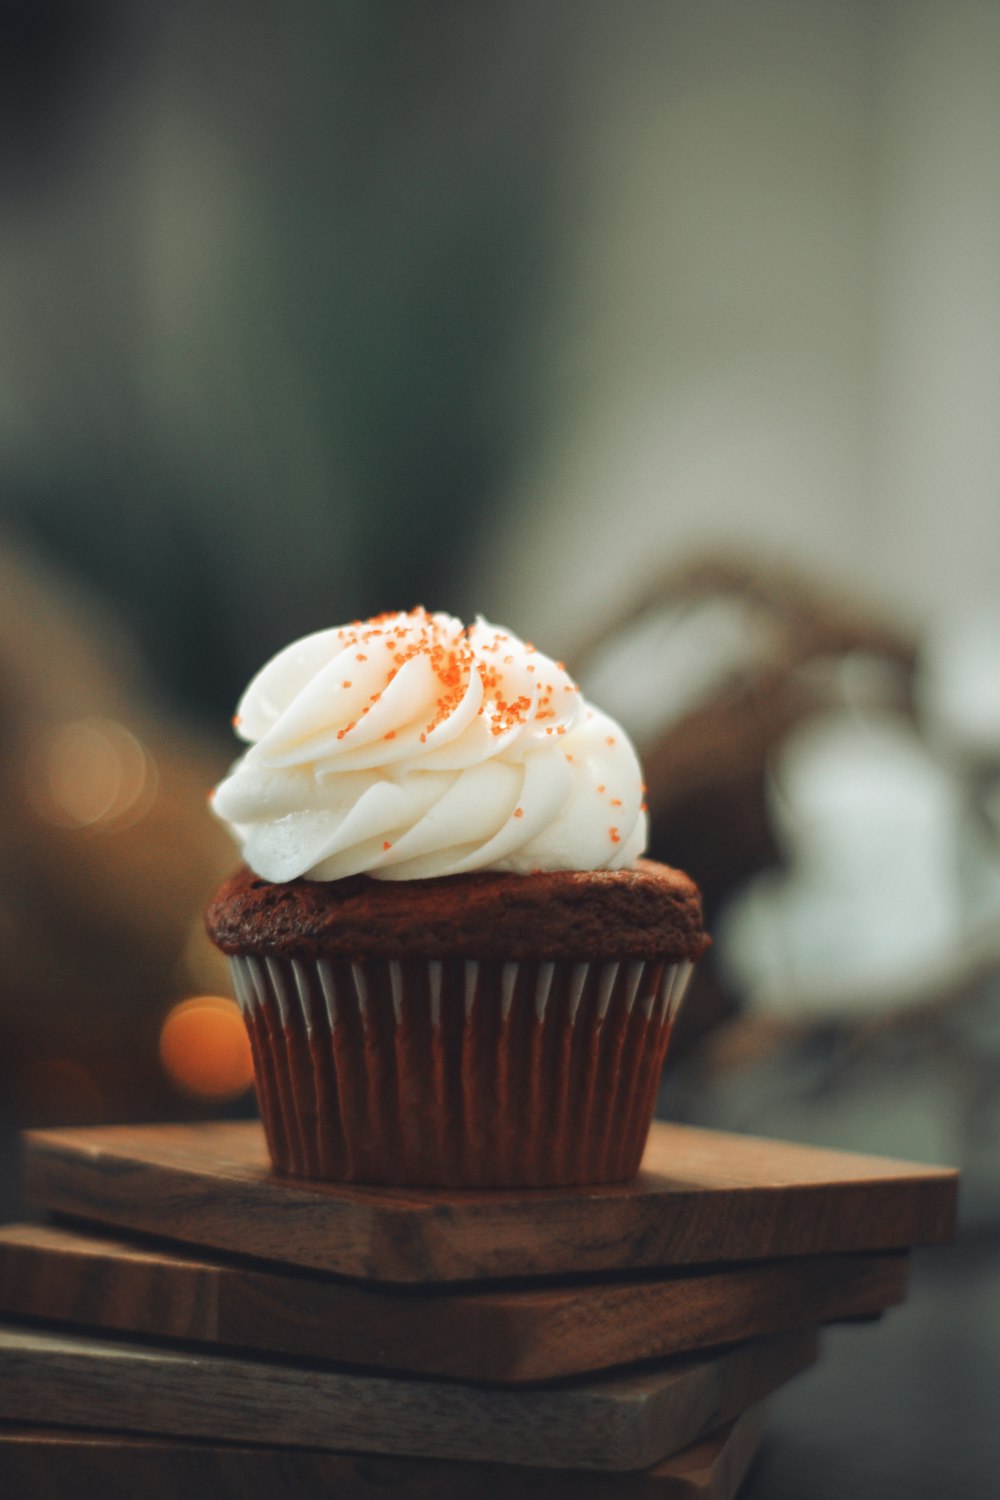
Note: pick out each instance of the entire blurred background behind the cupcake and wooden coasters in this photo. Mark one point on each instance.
(666, 334)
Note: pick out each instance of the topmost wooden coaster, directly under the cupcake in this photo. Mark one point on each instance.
(704, 1196)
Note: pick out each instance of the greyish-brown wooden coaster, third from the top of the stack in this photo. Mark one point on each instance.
(627, 1423)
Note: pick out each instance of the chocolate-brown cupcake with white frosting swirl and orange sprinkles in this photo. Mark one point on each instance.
(455, 965)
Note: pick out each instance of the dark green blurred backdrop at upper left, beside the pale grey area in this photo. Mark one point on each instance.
(274, 272)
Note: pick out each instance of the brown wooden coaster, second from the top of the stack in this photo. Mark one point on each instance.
(500, 1334)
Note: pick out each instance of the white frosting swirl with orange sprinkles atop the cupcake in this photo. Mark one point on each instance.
(410, 746)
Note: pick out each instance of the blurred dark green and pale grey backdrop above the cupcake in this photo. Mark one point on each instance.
(317, 310)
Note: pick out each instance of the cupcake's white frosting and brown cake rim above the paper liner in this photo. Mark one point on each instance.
(415, 787)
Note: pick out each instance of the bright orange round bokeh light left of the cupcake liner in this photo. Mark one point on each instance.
(205, 1048)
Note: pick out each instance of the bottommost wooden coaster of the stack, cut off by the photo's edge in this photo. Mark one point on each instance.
(52, 1465)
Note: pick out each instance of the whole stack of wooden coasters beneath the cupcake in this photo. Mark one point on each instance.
(181, 1321)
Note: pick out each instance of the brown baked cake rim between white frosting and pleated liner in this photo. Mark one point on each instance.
(644, 913)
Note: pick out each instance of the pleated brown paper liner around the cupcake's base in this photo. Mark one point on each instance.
(458, 1072)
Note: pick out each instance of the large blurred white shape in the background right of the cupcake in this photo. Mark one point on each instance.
(869, 905)
